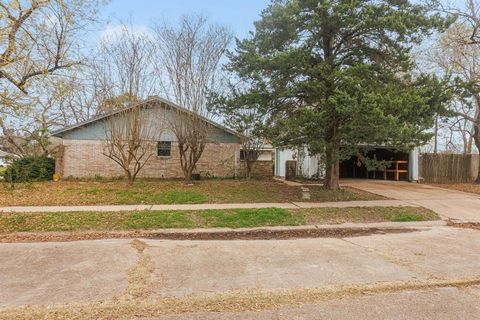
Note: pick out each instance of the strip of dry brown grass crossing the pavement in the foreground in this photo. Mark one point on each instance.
(233, 301)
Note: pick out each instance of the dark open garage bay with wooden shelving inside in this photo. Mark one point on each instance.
(403, 165)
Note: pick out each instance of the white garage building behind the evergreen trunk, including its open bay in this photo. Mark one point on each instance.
(403, 164)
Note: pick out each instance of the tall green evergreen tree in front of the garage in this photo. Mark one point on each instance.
(337, 74)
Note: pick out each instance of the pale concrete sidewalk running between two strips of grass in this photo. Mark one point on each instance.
(212, 206)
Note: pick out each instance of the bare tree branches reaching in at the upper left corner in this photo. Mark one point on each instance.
(38, 40)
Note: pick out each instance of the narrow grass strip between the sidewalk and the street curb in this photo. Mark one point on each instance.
(235, 218)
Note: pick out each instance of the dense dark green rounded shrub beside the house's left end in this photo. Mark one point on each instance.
(31, 168)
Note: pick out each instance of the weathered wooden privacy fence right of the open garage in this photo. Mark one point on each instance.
(448, 168)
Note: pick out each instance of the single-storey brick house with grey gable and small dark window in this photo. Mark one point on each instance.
(82, 146)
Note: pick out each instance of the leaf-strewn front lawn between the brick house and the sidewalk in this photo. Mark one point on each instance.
(167, 192)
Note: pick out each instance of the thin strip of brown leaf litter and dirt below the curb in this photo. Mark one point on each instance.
(257, 234)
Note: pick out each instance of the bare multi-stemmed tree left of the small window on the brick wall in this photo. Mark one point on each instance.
(123, 78)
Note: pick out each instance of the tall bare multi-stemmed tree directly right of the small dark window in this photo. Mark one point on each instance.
(188, 63)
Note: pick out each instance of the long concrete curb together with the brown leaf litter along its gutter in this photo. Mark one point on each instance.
(346, 230)
